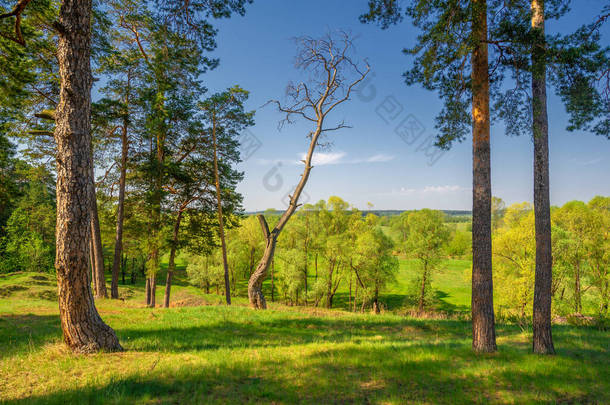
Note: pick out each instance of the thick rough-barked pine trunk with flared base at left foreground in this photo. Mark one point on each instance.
(82, 327)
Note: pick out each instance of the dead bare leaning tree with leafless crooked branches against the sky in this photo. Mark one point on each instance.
(332, 75)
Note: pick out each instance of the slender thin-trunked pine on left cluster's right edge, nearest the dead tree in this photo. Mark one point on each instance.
(224, 112)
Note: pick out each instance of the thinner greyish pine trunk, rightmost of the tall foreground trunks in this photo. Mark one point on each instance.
(543, 339)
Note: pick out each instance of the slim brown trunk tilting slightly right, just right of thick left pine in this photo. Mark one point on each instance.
(118, 239)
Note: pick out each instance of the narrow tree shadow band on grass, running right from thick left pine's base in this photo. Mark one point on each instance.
(226, 333)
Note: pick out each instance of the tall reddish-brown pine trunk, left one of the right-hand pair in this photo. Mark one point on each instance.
(483, 329)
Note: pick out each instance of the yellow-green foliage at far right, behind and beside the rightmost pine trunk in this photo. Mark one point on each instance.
(580, 259)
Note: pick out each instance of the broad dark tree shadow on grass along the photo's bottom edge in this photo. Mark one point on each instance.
(430, 373)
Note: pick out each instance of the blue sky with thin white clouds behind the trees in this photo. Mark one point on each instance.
(370, 163)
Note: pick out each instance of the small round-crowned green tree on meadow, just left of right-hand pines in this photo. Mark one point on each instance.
(428, 236)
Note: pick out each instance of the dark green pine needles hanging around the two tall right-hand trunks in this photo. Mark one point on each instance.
(576, 62)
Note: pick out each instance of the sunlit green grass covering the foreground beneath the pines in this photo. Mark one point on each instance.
(218, 354)
